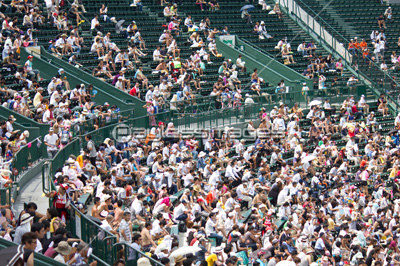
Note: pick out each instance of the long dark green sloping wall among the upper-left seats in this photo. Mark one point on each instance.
(105, 90)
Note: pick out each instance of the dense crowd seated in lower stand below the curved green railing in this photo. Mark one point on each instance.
(328, 204)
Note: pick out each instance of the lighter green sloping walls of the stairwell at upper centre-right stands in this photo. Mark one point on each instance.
(268, 68)
